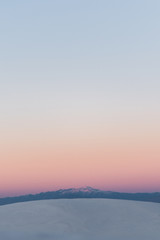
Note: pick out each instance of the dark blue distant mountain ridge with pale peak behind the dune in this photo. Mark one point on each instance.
(86, 192)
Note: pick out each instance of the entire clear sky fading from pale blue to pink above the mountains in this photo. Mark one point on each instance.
(79, 95)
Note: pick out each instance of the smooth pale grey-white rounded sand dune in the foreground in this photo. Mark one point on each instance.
(80, 219)
